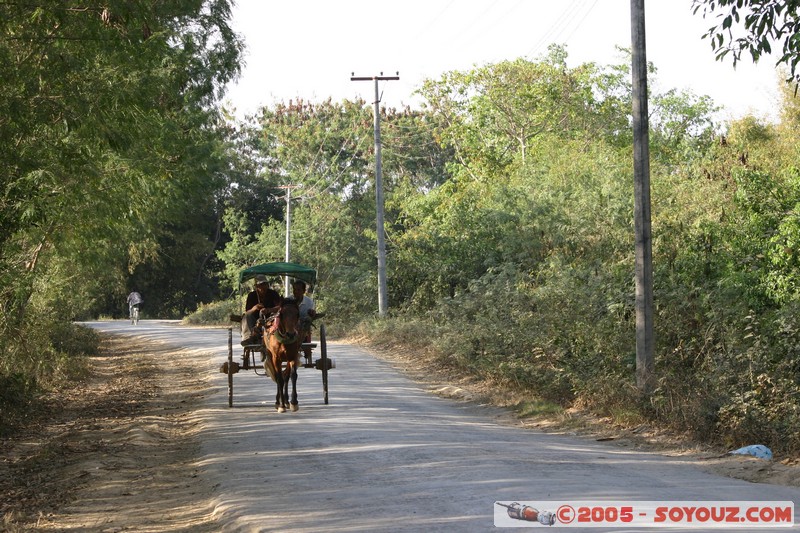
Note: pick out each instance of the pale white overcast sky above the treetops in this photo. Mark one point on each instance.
(310, 48)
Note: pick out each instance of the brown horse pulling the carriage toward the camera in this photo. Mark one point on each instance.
(283, 342)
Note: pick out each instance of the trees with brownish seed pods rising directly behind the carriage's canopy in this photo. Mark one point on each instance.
(325, 151)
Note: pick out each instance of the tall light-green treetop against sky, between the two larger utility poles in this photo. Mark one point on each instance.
(491, 116)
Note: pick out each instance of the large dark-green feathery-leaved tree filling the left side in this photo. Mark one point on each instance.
(109, 138)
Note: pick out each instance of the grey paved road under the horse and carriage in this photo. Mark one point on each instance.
(385, 455)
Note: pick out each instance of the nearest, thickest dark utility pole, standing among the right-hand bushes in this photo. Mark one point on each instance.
(645, 359)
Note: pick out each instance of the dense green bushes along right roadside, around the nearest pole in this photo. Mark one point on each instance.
(561, 328)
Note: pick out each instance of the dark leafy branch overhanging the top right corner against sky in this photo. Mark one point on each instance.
(753, 26)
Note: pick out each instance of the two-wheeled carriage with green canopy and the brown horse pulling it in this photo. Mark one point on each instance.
(283, 342)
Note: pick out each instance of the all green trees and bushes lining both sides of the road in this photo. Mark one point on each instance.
(508, 220)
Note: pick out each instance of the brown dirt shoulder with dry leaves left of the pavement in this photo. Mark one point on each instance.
(116, 452)
